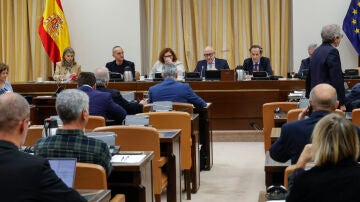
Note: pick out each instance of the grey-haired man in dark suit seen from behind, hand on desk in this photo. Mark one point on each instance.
(102, 80)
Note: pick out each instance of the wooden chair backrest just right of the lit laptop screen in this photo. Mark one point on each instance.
(90, 176)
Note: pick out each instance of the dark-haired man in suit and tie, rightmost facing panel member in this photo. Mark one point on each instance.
(257, 62)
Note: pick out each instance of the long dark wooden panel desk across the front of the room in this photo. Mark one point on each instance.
(235, 104)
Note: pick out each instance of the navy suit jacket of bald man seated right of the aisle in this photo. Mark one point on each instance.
(293, 138)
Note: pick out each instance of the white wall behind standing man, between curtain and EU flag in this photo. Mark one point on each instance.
(309, 16)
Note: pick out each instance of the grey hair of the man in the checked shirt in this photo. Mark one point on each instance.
(70, 103)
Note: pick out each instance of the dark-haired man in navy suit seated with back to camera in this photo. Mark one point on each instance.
(101, 103)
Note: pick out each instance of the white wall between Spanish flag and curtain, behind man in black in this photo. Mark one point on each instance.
(96, 26)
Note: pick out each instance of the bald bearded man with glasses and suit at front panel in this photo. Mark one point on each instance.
(210, 62)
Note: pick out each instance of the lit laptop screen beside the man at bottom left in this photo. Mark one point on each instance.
(65, 169)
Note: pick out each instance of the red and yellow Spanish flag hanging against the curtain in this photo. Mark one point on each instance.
(53, 30)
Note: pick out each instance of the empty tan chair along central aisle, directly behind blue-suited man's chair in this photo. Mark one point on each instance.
(177, 120)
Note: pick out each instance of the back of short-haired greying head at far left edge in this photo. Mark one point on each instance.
(13, 108)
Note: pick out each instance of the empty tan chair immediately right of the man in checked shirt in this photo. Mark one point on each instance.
(139, 138)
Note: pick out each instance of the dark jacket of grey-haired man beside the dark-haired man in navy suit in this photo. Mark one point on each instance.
(130, 107)
